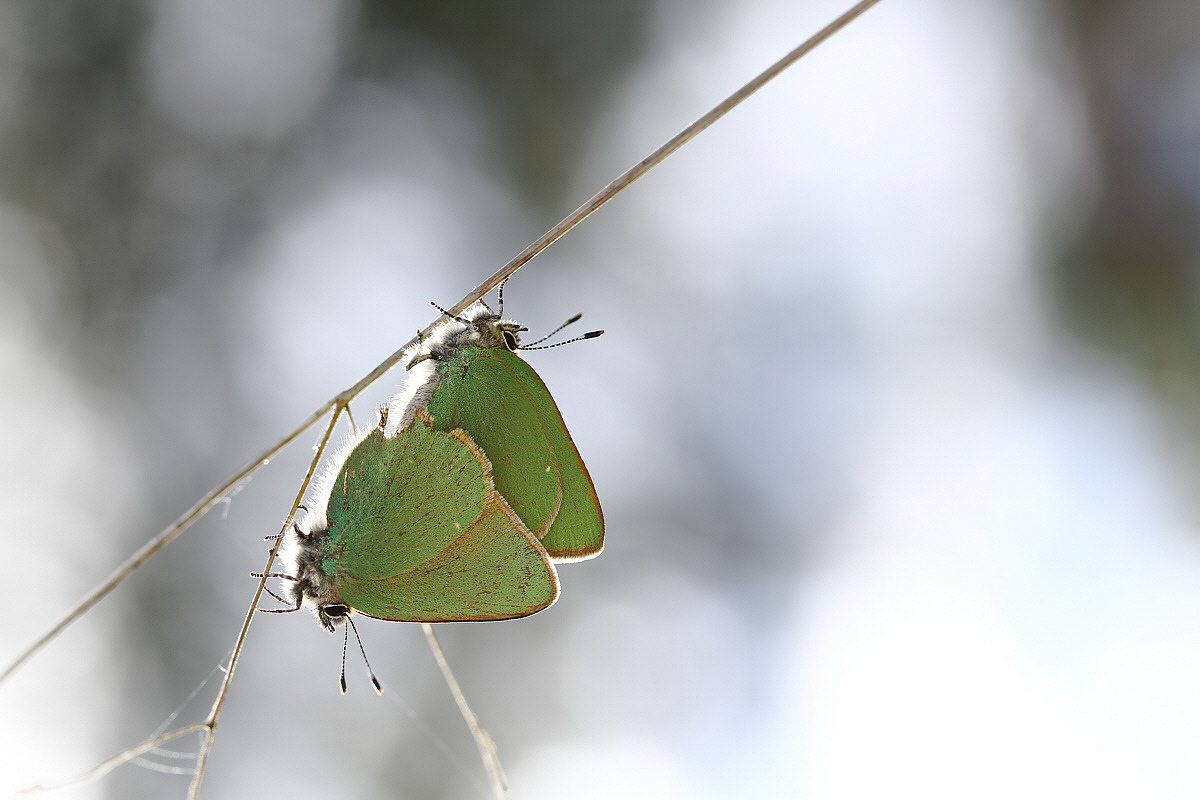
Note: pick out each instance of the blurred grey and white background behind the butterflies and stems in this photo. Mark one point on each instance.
(895, 425)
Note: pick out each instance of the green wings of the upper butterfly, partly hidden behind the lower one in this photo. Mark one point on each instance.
(503, 405)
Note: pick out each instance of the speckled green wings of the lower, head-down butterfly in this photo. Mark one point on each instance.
(418, 533)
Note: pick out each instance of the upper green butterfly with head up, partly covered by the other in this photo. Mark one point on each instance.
(466, 375)
